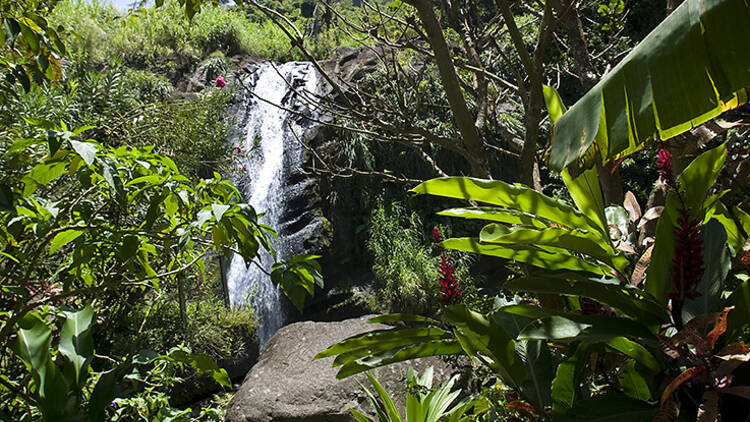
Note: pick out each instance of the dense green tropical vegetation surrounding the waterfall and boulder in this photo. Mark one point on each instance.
(599, 303)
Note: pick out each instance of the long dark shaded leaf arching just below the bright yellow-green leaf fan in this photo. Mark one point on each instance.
(630, 301)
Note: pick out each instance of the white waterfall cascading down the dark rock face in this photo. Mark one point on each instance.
(273, 155)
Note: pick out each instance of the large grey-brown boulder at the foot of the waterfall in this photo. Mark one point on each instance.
(287, 385)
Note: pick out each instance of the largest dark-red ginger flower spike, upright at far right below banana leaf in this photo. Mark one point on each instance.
(688, 257)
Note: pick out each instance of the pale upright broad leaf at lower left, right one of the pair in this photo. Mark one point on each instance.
(77, 343)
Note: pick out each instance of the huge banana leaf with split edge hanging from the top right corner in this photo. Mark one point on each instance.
(691, 68)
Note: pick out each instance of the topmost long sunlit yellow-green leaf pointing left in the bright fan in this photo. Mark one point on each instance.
(516, 197)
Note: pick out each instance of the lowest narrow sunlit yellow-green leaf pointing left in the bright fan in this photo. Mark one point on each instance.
(524, 253)
